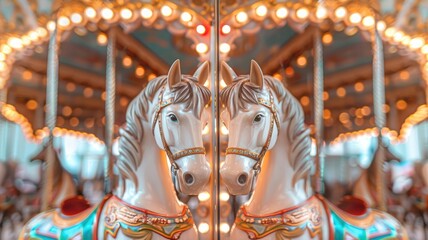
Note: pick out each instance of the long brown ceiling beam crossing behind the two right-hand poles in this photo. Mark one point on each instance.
(360, 73)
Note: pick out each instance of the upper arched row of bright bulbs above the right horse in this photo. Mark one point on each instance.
(353, 15)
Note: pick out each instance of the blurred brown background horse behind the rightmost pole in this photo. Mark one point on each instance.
(365, 186)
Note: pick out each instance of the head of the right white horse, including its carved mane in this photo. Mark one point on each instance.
(258, 107)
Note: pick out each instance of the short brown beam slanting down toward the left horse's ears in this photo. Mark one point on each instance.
(144, 54)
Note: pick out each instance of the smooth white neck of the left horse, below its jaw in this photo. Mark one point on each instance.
(155, 189)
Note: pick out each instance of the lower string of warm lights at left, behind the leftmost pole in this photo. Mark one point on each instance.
(10, 113)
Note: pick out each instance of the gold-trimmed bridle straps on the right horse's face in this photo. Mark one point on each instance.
(258, 157)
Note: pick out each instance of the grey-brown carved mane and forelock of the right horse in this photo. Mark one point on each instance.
(242, 92)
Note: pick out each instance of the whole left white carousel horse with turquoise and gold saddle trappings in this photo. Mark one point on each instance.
(165, 116)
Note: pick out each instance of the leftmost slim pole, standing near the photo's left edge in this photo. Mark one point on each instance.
(51, 111)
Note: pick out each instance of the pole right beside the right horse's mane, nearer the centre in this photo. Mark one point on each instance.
(319, 109)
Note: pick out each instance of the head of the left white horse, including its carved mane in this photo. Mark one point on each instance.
(173, 108)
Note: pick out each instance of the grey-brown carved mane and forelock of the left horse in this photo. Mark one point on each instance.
(187, 91)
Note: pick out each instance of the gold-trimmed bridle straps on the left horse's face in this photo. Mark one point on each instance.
(172, 156)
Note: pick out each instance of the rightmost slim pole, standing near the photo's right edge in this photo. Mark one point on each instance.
(378, 103)
